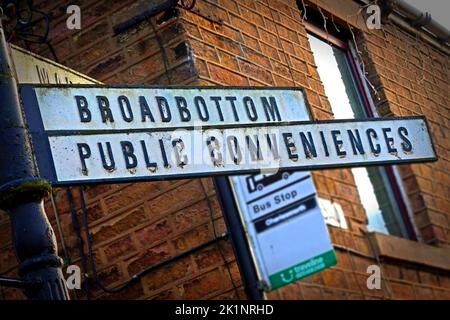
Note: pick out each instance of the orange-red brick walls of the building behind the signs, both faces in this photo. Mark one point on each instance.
(256, 43)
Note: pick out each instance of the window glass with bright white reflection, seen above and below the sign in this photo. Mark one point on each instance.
(385, 212)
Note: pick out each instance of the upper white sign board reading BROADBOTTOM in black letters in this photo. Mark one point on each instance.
(146, 108)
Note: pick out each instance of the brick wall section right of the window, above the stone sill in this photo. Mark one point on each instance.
(412, 78)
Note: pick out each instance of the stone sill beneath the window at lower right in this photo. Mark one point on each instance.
(411, 251)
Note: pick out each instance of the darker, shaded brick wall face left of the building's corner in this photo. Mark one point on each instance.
(134, 226)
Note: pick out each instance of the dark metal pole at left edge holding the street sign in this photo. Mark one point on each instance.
(22, 193)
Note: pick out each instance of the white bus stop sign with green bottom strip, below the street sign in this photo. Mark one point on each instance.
(284, 223)
